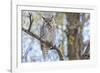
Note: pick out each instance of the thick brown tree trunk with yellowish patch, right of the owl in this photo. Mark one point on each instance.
(74, 36)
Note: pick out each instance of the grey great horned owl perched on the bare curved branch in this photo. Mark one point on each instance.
(47, 33)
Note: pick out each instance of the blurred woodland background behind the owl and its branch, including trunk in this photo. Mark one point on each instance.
(71, 39)
